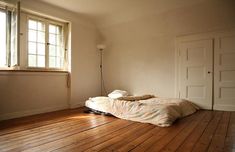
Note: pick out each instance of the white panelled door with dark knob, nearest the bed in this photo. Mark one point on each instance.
(196, 72)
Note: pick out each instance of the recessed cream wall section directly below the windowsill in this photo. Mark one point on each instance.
(30, 93)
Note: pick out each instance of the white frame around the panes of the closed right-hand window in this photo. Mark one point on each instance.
(47, 22)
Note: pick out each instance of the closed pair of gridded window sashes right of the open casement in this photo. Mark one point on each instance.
(45, 44)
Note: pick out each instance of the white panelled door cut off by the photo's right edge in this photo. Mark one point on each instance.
(224, 78)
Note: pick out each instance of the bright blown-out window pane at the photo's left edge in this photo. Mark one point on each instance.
(3, 39)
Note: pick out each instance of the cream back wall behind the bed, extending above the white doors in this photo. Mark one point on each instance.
(140, 57)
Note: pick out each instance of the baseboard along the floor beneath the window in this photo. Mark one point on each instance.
(31, 112)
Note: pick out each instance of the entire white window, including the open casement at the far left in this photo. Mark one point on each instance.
(29, 42)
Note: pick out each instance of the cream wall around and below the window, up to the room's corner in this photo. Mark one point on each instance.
(23, 93)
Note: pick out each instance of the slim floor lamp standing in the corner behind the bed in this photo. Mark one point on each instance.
(101, 48)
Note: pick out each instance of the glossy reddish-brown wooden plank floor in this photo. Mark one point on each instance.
(73, 130)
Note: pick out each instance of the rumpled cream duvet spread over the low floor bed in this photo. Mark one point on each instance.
(158, 111)
